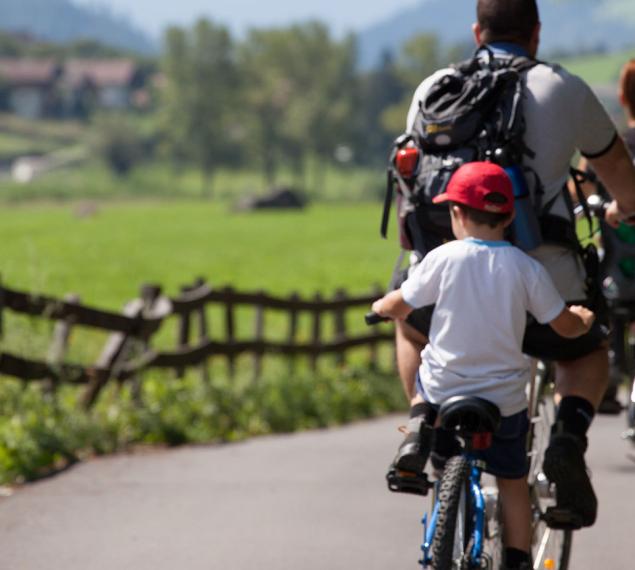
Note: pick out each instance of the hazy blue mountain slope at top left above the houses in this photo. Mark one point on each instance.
(64, 21)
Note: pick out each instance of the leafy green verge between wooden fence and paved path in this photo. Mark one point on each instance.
(39, 434)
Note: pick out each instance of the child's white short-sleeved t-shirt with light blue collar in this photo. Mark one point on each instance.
(482, 292)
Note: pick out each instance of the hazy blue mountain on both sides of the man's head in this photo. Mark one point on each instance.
(570, 26)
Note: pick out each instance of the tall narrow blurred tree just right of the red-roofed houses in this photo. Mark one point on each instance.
(199, 99)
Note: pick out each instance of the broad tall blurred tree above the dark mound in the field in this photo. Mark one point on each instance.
(298, 94)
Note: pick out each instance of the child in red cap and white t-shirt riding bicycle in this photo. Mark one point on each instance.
(482, 288)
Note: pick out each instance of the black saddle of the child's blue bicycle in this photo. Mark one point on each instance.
(469, 415)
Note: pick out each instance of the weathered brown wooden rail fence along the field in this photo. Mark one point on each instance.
(129, 351)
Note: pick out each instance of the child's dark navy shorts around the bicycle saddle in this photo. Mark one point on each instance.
(507, 457)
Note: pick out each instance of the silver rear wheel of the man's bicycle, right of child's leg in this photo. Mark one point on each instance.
(551, 548)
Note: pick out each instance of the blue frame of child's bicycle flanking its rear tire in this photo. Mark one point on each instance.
(477, 501)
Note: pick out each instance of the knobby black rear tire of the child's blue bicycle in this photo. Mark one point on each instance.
(452, 532)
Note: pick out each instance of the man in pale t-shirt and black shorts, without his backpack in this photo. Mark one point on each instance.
(562, 116)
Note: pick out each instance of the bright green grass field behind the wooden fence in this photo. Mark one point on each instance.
(106, 257)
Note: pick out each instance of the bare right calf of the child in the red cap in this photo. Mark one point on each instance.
(516, 513)
